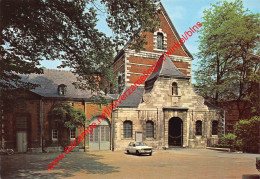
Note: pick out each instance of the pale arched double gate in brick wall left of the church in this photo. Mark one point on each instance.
(100, 137)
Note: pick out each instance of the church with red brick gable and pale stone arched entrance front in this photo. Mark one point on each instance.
(164, 111)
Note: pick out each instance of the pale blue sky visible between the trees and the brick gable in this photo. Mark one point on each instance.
(184, 14)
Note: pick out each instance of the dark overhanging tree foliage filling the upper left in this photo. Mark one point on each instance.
(33, 30)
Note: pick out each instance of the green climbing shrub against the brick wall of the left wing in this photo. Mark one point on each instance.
(67, 116)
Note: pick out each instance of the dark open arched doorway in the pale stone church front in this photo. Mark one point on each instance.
(175, 132)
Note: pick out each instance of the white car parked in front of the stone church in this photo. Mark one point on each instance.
(139, 148)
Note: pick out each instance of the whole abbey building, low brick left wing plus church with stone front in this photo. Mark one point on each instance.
(164, 111)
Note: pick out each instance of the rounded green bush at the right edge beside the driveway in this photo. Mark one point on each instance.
(248, 134)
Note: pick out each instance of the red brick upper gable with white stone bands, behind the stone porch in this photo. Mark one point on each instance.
(129, 65)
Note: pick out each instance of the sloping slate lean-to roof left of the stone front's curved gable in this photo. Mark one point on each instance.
(133, 100)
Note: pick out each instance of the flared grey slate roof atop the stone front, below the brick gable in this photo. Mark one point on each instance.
(167, 69)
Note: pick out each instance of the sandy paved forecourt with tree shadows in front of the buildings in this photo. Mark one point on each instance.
(178, 163)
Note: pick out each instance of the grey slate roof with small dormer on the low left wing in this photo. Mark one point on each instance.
(51, 79)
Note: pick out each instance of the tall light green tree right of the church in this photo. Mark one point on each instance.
(227, 38)
